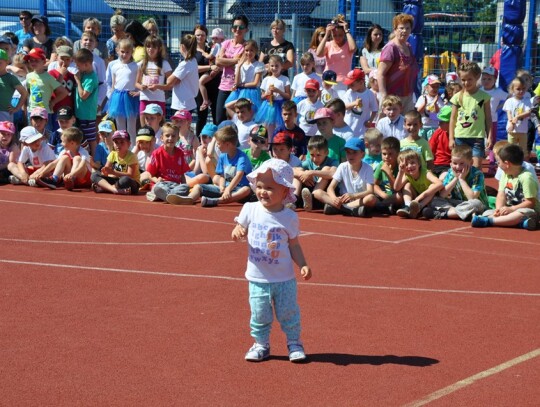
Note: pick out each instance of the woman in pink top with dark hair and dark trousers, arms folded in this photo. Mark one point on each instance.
(229, 55)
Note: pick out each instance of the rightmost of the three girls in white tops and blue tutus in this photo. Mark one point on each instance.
(275, 89)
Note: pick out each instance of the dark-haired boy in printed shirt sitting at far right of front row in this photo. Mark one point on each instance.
(517, 203)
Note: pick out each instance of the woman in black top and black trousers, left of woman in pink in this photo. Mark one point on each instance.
(206, 65)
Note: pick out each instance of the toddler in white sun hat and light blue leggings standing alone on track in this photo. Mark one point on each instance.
(272, 231)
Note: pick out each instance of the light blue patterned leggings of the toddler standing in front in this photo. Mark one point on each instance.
(264, 298)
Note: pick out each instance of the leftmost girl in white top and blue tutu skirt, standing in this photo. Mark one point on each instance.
(124, 100)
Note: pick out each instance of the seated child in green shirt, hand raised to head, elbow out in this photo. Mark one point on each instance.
(417, 183)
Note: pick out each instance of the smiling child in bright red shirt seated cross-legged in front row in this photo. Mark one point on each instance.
(167, 167)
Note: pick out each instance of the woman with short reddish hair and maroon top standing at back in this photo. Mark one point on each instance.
(398, 69)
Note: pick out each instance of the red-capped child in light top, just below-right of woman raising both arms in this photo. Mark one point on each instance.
(360, 102)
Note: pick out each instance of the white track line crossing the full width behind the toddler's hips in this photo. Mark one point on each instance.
(353, 286)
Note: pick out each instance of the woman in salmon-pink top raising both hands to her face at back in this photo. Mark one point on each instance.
(339, 51)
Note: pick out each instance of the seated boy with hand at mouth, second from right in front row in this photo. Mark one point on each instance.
(464, 193)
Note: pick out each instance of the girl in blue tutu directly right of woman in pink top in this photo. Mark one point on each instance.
(247, 79)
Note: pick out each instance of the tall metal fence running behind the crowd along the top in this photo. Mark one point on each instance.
(453, 29)
